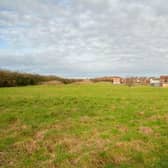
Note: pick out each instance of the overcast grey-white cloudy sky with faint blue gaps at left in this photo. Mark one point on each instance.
(83, 38)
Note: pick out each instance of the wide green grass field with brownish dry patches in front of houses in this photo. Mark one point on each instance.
(83, 126)
